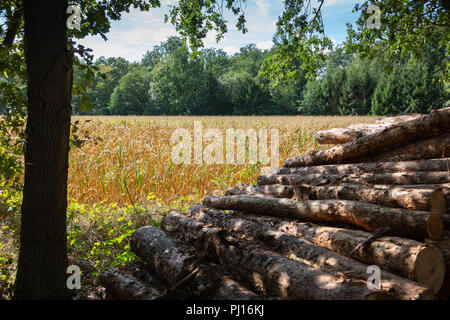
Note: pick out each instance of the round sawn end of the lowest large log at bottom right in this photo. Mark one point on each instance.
(429, 268)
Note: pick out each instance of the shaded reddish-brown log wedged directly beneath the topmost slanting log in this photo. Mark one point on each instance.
(434, 147)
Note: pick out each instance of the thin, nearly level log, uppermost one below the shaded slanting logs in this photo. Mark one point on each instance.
(374, 167)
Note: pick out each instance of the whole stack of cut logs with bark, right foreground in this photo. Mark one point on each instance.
(311, 229)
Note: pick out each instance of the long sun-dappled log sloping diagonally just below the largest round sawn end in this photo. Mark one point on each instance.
(289, 245)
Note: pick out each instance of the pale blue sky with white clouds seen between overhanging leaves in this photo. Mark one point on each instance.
(137, 32)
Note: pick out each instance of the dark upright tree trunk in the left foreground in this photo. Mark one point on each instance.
(42, 265)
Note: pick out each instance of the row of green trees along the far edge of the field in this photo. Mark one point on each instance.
(170, 81)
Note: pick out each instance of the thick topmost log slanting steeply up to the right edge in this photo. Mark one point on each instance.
(437, 122)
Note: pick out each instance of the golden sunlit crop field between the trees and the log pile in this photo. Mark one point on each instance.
(128, 159)
